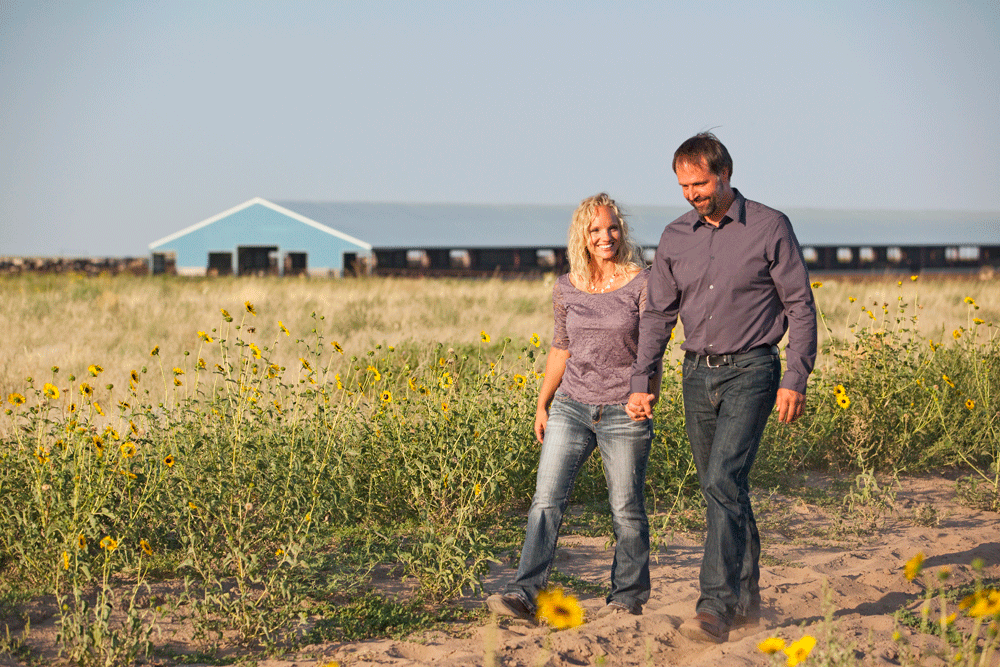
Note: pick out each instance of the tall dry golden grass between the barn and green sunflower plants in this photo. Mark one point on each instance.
(74, 321)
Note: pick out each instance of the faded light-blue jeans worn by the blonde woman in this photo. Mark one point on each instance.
(574, 430)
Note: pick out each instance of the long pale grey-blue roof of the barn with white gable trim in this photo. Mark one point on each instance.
(421, 225)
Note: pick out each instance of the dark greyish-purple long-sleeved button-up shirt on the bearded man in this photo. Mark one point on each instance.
(736, 287)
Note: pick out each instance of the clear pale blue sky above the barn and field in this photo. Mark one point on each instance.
(121, 123)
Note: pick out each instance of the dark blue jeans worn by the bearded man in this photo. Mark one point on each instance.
(725, 411)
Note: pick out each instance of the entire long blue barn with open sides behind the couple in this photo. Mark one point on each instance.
(331, 238)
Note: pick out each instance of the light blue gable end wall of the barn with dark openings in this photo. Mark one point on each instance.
(258, 237)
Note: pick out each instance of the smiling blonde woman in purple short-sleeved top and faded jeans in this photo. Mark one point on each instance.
(581, 406)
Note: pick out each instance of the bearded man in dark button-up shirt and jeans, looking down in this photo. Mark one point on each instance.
(733, 271)
